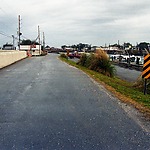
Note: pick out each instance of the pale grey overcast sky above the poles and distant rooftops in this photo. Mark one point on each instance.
(70, 22)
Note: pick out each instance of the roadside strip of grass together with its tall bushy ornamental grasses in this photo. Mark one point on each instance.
(103, 72)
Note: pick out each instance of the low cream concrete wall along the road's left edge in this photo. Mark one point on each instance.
(10, 57)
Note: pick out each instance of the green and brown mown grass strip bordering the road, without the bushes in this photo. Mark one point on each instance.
(123, 90)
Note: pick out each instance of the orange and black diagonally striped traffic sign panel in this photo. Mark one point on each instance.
(146, 67)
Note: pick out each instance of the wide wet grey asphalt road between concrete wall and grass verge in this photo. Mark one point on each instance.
(47, 105)
